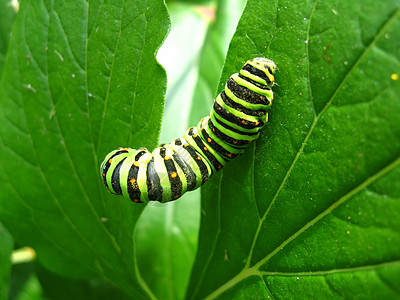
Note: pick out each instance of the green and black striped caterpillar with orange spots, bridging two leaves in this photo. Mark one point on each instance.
(236, 118)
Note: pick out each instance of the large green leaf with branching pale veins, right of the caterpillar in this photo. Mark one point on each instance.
(312, 209)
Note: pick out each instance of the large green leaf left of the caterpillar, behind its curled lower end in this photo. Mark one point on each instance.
(75, 86)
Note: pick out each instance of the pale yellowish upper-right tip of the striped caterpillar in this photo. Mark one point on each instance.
(261, 70)
